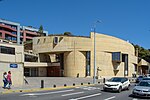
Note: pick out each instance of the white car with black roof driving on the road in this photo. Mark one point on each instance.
(117, 84)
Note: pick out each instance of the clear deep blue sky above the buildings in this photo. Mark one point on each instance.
(125, 19)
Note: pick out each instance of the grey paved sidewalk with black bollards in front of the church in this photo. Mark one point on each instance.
(49, 83)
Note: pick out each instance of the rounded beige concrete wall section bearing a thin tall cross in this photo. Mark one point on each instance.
(74, 63)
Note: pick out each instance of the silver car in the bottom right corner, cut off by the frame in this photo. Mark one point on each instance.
(142, 89)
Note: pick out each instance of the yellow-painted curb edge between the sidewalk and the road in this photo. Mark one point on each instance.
(41, 89)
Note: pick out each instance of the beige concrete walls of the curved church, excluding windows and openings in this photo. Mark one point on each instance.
(74, 58)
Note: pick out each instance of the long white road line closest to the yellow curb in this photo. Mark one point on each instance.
(34, 94)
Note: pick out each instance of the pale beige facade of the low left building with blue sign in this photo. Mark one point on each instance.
(12, 62)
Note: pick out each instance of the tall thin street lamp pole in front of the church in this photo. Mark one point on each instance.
(95, 68)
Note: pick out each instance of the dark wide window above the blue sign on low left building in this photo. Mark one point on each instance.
(7, 50)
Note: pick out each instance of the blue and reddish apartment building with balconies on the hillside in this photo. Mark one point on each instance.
(16, 33)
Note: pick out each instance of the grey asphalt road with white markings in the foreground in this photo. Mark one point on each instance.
(78, 93)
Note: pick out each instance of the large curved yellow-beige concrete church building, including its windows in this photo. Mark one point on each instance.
(114, 56)
